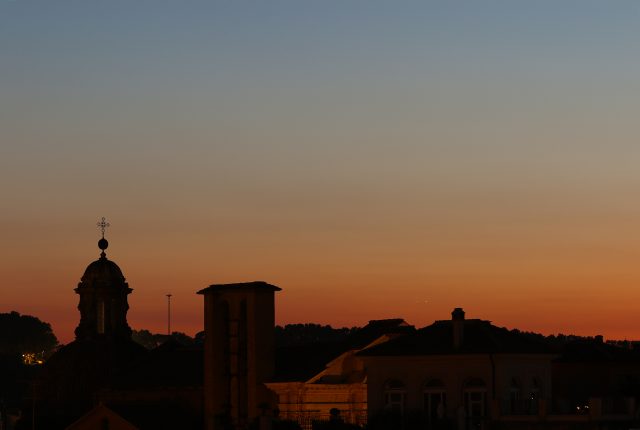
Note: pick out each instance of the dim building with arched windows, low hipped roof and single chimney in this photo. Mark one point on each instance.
(458, 373)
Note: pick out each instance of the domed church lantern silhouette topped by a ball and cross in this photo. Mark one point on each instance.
(103, 298)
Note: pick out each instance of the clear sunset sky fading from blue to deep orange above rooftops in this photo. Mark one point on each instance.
(374, 159)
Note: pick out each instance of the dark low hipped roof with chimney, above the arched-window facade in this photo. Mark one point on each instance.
(479, 337)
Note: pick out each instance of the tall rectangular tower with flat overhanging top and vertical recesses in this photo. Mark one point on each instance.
(239, 353)
